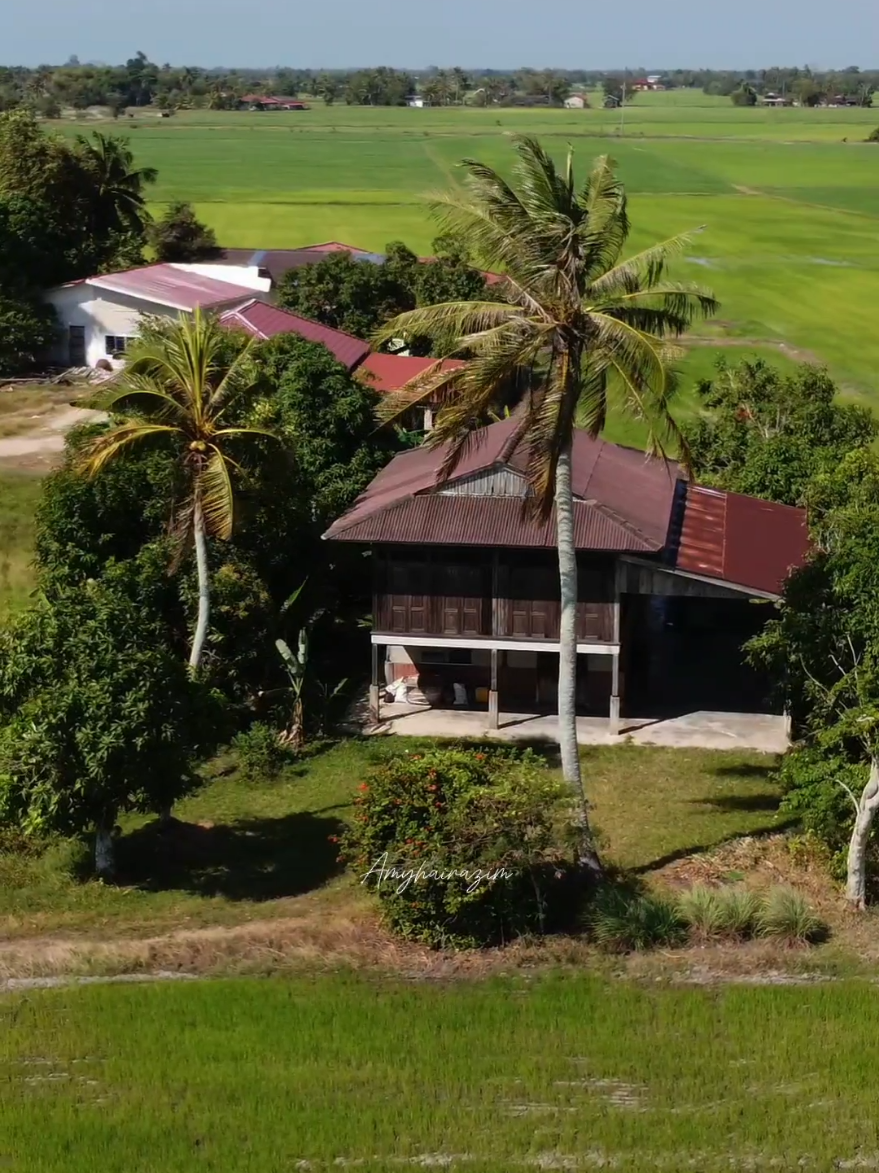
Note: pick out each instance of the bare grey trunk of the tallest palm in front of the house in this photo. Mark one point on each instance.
(569, 655)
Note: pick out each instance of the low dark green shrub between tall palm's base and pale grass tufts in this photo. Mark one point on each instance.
(623, 921)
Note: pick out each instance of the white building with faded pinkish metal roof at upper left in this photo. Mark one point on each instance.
(99, 316)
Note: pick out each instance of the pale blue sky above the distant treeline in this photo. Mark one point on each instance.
(592, 35)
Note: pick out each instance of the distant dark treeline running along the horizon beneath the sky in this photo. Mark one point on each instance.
(140, 83)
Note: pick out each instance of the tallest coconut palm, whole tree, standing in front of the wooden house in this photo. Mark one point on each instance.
(579, 322)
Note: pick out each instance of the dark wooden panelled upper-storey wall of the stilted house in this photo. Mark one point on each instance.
(466, 593)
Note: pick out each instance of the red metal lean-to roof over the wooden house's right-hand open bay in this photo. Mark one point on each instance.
(741, 540)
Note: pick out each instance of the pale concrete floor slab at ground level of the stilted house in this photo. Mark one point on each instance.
(693, 731)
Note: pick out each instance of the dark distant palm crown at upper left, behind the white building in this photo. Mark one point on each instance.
(120, 200)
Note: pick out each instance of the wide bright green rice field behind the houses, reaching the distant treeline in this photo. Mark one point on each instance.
(788, 199)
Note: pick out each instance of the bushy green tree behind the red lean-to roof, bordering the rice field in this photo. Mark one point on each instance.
(767, 435)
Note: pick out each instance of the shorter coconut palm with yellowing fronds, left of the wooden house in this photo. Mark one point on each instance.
(186, 384)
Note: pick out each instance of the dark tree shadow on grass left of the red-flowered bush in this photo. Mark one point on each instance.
(255, 859)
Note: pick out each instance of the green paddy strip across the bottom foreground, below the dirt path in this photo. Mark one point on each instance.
(555, 1073)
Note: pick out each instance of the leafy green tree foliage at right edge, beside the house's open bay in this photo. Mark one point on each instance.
(824, 650)
